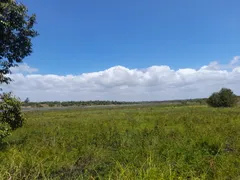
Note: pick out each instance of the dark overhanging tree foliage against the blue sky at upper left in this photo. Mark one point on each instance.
(16, 32)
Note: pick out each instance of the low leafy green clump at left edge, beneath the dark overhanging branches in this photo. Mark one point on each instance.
(11, 117)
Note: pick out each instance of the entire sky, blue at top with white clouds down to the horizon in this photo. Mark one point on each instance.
(130, 50)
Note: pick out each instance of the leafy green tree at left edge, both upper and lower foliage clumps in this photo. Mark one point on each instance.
(16, 33)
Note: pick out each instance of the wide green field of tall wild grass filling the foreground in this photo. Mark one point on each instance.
(125, 143)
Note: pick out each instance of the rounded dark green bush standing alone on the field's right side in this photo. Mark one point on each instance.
(224, 98)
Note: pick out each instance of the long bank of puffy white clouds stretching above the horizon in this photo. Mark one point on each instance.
(124, 84)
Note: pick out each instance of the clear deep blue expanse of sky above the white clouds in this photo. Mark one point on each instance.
(86, 36)
